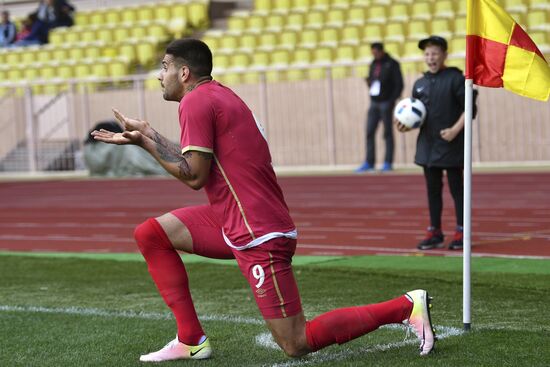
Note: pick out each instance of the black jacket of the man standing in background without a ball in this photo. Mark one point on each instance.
(391, 79)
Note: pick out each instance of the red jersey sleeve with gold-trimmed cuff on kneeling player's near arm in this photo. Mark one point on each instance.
(197, 126)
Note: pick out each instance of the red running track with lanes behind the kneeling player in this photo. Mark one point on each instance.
(335, 215)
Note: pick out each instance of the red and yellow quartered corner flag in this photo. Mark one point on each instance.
(500, 54)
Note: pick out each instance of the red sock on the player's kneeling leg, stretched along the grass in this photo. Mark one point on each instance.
(344, 324)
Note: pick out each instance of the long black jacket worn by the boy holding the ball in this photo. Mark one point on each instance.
(443, 95)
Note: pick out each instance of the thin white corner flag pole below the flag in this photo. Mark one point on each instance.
(467, 251)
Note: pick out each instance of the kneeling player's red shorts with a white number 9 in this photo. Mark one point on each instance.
(267, 267)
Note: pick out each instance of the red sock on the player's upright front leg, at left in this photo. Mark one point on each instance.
(170, 276)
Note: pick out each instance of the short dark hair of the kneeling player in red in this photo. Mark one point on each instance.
(193, 53)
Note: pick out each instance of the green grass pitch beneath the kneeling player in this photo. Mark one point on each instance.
(104, 310)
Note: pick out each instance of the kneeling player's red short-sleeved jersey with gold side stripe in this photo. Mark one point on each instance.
(241, 188)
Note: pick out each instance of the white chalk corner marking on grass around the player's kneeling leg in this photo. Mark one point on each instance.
(320, 357)
